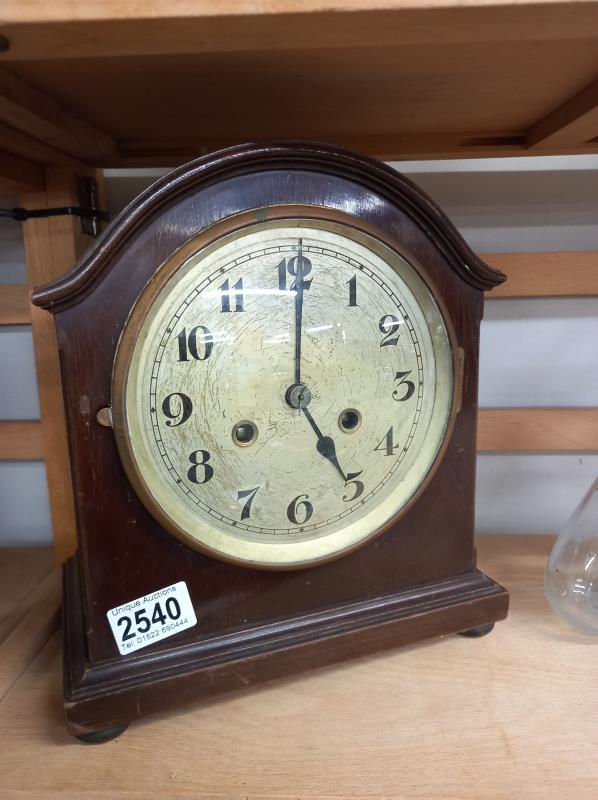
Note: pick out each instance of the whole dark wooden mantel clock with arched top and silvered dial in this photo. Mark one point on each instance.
(270, 365)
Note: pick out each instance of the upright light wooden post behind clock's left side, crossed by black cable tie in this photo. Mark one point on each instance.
(52, 246)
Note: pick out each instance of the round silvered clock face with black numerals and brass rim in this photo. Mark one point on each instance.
(286, 392)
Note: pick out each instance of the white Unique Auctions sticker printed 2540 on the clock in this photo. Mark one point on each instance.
(153, 617)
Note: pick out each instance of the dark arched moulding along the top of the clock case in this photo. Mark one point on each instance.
(246, 159)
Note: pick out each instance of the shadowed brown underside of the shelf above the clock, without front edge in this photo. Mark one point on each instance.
(491, 120)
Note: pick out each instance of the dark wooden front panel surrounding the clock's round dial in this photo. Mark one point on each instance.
(124, 553)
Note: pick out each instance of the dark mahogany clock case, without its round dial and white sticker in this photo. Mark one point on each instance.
(417, 579)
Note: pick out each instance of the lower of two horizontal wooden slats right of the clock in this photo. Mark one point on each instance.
(538, 430)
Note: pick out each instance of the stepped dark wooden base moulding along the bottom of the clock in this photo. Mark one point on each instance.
(114, 694)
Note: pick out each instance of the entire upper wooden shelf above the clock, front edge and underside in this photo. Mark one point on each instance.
(112, 83)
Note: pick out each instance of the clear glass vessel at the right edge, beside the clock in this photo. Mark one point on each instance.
(571, 579)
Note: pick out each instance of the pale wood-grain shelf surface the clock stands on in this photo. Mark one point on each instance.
(511, 716)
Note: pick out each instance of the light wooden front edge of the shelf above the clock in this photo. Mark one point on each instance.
(108, 28)
